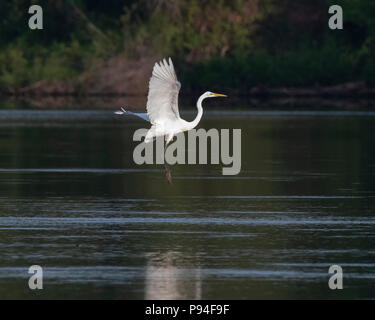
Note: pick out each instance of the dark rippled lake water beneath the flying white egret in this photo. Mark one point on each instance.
(73, 201)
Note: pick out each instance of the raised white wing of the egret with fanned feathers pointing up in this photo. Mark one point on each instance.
(162, 100)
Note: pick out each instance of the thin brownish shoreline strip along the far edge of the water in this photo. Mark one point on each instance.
(185, 101)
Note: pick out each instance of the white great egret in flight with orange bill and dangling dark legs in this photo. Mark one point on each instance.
(162, 105)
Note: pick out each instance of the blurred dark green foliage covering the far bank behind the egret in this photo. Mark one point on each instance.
(236, 44)
